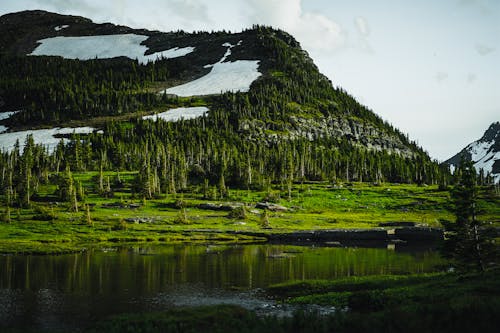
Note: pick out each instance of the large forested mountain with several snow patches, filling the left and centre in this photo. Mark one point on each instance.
(263, 108)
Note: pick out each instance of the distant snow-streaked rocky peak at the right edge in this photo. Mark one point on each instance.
(485, 153)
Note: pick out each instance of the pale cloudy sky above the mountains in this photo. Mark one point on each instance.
(430, 68)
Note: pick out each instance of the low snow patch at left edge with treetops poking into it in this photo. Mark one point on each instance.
(42, 136)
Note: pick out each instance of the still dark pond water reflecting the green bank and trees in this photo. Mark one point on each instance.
(73, 291)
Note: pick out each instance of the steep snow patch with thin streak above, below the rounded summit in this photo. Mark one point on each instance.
(224, 76)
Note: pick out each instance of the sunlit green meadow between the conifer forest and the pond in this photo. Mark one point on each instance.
(120, 216)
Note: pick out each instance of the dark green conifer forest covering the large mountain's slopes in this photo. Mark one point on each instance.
(216, 149)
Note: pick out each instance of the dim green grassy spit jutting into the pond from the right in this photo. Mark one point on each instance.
(379, 293)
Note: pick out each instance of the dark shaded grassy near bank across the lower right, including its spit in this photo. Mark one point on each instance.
(419, 303)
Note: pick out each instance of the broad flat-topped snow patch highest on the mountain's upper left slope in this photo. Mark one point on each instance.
(103, 47)
